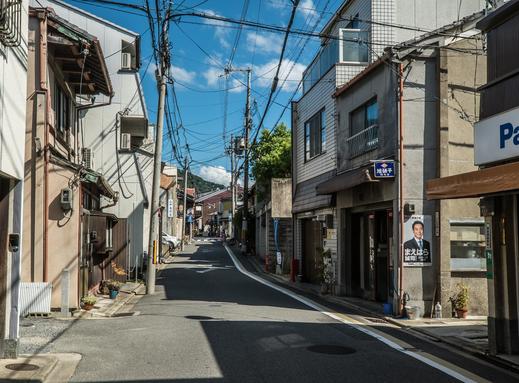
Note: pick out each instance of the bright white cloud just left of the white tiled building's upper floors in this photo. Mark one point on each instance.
(289, 68)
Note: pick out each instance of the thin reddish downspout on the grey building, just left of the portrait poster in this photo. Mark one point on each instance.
(401, 181)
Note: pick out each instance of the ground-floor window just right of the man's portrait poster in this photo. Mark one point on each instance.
(468, 246)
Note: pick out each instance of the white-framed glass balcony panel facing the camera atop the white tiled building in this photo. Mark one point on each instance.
(354, 42)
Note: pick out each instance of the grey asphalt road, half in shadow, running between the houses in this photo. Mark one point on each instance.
(211, 322)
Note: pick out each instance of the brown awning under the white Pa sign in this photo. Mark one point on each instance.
(491, 180)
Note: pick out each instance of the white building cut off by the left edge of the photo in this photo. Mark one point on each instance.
(13, 72)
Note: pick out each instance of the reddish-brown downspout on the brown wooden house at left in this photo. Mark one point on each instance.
(44, 88)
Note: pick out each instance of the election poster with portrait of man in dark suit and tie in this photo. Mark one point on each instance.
(418, 241)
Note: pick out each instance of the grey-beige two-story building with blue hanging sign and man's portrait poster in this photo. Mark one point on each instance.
(405, 119)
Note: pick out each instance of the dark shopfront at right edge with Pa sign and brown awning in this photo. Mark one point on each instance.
(496, 181)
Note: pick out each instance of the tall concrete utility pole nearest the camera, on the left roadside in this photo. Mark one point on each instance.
(154, 242)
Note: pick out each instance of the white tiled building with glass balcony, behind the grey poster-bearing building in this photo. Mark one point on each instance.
(354, 38)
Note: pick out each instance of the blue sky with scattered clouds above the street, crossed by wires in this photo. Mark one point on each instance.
(200, 50)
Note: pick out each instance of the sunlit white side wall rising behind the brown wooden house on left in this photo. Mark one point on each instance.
(101, 130)
